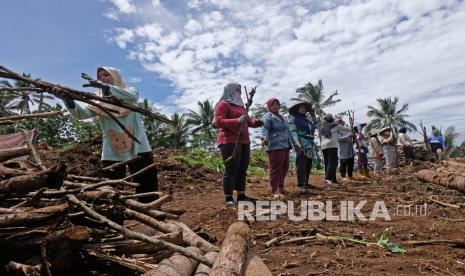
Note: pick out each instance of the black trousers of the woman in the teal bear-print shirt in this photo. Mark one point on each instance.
(148, 180)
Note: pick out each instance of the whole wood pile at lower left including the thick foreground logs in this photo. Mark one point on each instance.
(53, 222)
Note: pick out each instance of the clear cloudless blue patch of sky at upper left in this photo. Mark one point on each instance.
(57, 40)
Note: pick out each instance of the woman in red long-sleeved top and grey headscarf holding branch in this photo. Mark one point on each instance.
(230, 116)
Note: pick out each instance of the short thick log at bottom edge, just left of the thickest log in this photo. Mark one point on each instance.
(176, 265)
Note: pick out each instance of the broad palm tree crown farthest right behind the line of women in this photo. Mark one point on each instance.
(388, 115)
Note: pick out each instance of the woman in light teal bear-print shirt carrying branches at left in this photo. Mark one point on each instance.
(117, 145)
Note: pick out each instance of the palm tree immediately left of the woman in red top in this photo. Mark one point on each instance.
(203, 120)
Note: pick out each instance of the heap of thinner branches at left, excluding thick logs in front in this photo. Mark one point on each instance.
(51, 221)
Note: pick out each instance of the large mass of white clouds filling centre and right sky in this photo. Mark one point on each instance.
(364, 49)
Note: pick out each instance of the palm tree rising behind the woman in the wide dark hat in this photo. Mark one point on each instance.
(315, 95)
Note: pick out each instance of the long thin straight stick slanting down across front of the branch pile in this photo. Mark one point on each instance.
(136, 235)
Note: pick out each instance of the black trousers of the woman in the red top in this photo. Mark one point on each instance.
(234, 175)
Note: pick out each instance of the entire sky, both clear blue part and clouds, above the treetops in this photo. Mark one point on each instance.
(179, 52)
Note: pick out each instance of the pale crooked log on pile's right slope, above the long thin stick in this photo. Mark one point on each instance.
(189, 237)
